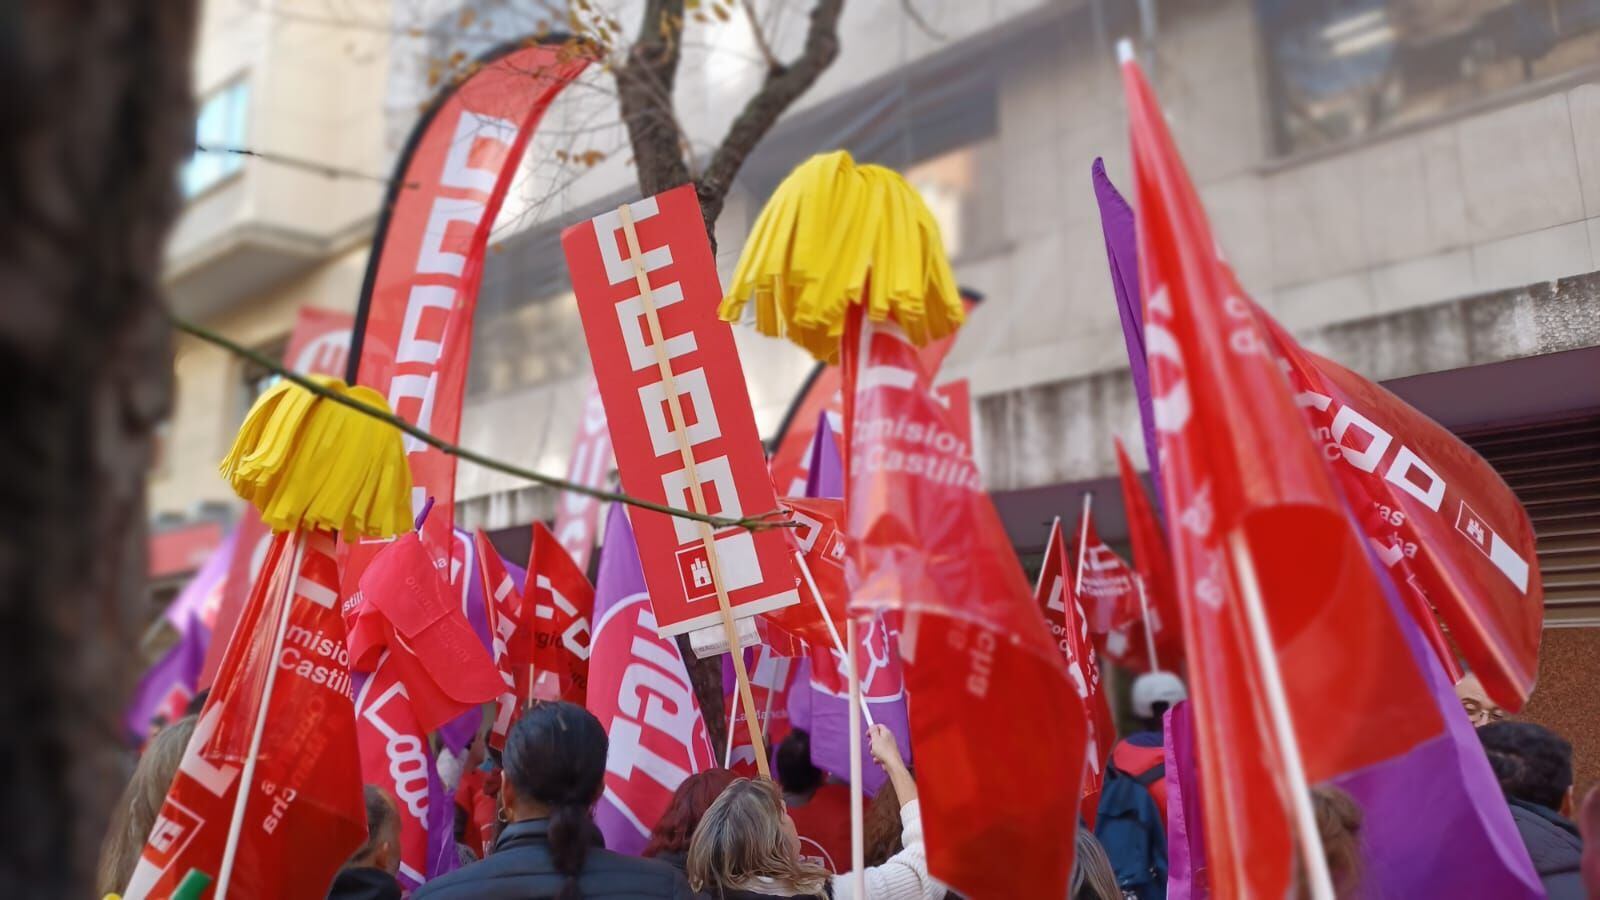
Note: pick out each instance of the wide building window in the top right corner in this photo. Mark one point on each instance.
(1340, 70)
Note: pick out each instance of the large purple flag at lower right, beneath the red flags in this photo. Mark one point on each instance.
(1436, 822)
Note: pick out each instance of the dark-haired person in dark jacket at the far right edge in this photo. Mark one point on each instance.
(1535, 769)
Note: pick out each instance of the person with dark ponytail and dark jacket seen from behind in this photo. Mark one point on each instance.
(554, 765)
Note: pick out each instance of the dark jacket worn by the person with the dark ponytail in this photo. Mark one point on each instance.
(521, 869)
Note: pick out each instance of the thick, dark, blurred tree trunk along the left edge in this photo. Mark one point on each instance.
(98, 116)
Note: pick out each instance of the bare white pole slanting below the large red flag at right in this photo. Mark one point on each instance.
(1321, 882)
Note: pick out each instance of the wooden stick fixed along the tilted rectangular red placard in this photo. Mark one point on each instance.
(697, 494)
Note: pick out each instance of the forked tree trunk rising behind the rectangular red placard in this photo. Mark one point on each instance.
(660, 155)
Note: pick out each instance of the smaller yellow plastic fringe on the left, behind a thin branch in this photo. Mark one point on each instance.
(310, 462)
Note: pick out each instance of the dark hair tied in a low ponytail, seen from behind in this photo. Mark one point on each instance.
(556, 755)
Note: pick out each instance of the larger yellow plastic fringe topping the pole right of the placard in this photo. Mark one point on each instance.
(836, 235)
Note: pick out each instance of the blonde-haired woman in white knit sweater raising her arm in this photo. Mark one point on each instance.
(746, 846)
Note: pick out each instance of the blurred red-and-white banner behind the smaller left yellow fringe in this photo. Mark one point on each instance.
(319, 345)
